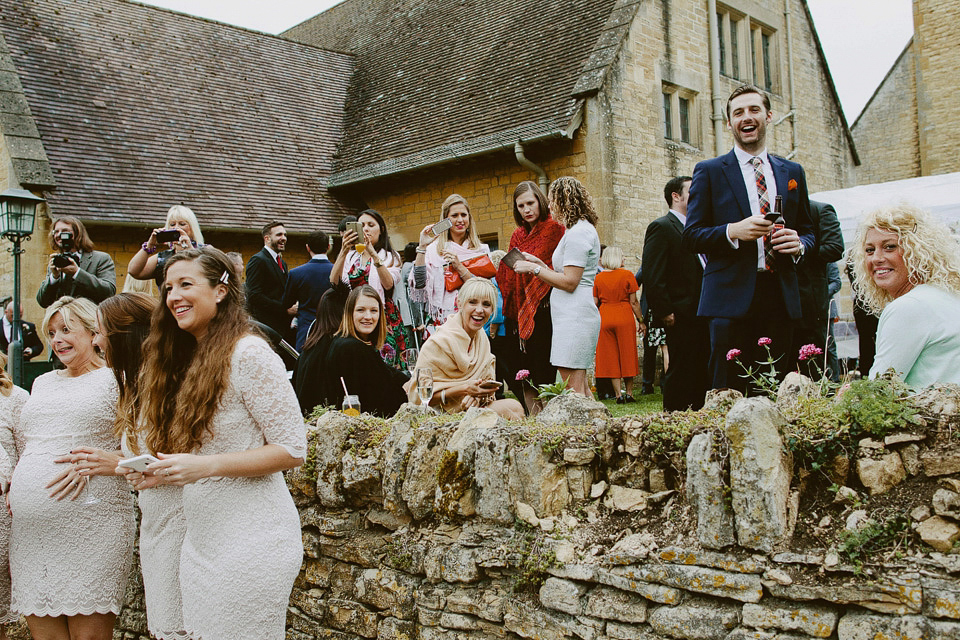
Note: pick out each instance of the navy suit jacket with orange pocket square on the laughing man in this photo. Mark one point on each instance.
(718, 197)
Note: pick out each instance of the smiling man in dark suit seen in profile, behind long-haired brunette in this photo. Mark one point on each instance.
(266, 281)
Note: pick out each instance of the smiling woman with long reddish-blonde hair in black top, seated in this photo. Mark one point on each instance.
(352, 355)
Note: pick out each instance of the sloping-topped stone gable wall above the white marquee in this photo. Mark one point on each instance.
(886, 132)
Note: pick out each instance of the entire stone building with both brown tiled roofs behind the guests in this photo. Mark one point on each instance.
(115, 111)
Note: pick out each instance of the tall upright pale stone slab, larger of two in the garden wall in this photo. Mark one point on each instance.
(760, 473)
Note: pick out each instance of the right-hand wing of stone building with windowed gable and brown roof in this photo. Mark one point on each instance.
(615, 92)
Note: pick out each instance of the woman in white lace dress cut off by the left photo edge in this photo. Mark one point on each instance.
(12, 400)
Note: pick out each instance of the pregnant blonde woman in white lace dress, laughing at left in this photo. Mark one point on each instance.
(69, 559)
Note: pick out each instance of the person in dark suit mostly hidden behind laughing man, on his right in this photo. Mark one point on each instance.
(812, 282)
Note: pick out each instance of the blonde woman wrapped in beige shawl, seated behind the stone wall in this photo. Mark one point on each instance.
(459, 356)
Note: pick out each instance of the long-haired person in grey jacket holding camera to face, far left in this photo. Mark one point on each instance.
(75, 269)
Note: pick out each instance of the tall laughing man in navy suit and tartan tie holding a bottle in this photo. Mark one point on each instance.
(749, 281)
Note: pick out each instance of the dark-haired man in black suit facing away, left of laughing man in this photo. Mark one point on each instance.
(673, 278)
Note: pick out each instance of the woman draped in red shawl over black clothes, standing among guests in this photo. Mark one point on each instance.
(526, 305)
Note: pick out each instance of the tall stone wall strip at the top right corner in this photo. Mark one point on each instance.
(936, 26)
